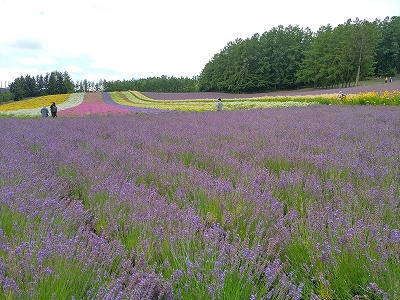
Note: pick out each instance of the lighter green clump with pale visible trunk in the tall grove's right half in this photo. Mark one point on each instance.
(340, 55)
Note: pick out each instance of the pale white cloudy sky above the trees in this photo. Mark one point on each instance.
(125, 39)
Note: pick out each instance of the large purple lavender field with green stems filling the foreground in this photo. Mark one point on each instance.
(294, 203)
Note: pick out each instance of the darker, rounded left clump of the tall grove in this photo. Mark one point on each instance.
(260, 63)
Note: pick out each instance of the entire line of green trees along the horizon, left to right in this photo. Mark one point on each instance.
(281, 58)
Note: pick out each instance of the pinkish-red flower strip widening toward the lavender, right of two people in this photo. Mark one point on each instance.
(93, 104)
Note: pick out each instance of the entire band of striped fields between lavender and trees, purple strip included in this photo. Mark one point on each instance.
(133, 102)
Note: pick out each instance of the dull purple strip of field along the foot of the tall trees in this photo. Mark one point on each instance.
(380, 88)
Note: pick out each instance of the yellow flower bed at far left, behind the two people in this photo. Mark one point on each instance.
(37, 102)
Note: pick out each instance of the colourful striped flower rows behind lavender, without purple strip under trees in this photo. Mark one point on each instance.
(133, 101)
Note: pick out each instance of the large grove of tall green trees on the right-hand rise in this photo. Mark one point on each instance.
(290, 57)
